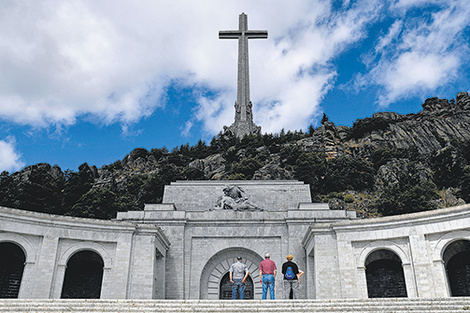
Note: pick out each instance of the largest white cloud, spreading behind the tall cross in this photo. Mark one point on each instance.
(63, 60)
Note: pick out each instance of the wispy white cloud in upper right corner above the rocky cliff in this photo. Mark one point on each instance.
(418, 54)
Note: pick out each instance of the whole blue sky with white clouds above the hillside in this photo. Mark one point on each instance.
(89, 81)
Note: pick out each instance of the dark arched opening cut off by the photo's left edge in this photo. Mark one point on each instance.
(12, 259)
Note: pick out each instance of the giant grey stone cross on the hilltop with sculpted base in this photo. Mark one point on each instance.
(243, 124)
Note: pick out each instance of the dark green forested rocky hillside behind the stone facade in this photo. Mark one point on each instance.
(384, 165)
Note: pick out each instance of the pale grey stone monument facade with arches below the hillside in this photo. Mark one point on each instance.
(183, 248)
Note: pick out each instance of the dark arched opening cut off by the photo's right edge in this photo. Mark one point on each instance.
(457, 262)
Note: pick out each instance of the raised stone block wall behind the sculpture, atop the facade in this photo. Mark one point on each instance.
(267, 195)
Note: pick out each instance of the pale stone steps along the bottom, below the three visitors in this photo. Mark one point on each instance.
(415, 305)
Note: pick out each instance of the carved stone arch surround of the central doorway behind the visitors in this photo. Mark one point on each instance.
(219, 264)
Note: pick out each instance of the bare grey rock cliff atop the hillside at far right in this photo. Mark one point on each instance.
(436, 126)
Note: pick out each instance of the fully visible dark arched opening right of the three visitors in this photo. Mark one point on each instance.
(384, 273)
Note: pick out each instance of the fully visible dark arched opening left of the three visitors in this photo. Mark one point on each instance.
(83, 276)
